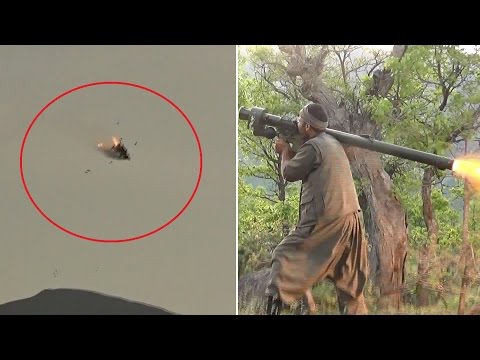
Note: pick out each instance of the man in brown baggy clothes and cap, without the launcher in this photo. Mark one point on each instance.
(328, 241)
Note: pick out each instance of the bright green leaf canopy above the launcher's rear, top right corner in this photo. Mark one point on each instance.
(436, 92)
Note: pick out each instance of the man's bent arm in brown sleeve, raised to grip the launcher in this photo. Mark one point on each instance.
(297, 166)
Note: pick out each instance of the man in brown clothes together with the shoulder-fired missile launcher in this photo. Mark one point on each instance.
(299, 260)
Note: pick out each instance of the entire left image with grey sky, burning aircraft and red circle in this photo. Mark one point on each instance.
(119, 180)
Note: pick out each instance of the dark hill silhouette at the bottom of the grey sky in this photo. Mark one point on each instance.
(77, 302)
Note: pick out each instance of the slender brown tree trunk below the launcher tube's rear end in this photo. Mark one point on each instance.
(428, 250)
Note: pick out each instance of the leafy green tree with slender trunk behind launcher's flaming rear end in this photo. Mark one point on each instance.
(432, 103)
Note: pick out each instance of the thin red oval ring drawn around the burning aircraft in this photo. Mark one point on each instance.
(111, 83)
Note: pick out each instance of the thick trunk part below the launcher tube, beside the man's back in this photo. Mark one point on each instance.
(385, 224)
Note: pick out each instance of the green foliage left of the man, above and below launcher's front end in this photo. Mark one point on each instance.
(263, 213)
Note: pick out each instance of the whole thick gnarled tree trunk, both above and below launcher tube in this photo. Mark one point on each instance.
(384, 216)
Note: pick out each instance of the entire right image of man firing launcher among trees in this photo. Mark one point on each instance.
(358, 175)
